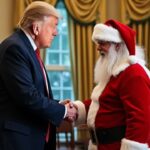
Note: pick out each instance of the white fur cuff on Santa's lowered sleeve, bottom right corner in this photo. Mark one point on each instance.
(132, 145)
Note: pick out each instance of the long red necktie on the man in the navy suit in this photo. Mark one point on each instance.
(45, 78)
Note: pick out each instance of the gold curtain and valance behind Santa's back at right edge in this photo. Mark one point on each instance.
(136, 13)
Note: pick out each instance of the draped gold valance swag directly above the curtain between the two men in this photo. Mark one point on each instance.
(84, 11)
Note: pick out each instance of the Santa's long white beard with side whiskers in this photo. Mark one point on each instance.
(109, 61)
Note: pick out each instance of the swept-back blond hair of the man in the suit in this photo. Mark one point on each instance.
(36, 11)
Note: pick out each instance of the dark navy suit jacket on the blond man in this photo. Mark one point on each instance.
(25, 108)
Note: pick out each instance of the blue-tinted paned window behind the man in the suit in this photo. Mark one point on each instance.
(58, 60)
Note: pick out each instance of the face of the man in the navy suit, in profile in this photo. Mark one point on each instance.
(47, 32)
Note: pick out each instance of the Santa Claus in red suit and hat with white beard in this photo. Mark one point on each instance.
(118, 112)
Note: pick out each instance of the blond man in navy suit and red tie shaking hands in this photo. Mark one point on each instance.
(27, 107)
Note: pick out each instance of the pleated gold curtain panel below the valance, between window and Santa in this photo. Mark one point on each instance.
(83, 56)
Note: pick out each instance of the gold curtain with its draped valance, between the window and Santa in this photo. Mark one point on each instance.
(84, 14)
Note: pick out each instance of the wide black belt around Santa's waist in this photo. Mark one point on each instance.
(107, 135)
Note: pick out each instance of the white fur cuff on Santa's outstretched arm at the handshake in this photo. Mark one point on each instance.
(81, 113)
